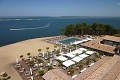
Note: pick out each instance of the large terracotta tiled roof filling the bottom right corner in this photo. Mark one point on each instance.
(105, 69)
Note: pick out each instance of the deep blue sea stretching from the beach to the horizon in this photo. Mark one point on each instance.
(15, 29)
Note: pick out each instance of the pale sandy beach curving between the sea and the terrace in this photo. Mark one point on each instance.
(9, 53)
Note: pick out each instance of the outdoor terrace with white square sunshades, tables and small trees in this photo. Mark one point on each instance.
(29, 68)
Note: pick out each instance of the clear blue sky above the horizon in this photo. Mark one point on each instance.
(60, 8)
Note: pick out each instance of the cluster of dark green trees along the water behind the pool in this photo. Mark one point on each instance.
(94, 29)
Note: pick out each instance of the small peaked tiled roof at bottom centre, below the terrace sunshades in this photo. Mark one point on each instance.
(56, 74)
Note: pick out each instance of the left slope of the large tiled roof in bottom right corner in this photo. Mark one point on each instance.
(103, 70)
